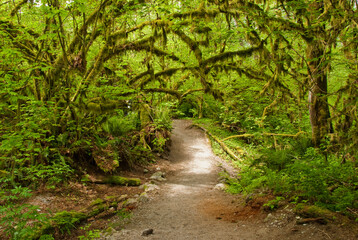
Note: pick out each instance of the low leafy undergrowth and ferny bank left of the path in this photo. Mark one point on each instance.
(60, 172)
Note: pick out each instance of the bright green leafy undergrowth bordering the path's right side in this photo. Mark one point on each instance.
(295, 172)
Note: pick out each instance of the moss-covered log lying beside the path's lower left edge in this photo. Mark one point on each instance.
(65, 221)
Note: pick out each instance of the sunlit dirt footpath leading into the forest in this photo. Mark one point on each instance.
(188, 206)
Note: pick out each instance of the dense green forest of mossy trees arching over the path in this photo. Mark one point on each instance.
(95, 84)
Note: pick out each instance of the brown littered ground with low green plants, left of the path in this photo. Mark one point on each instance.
(25, 212)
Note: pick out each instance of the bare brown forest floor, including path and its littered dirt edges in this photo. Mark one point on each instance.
(188, 204)
